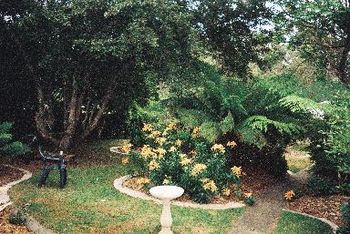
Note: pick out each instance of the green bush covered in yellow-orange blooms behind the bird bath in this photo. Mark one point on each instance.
(179, 156)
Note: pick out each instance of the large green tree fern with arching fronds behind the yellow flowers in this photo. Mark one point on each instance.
(266, 113)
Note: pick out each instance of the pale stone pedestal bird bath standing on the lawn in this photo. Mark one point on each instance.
(166, 193)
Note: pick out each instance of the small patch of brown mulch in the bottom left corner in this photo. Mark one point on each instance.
(7, 227)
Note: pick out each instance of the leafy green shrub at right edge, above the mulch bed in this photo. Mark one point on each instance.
(330, 147)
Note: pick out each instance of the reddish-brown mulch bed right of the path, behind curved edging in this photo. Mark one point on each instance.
(327, 207)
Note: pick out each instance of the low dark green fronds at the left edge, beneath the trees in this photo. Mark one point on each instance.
(7, 145)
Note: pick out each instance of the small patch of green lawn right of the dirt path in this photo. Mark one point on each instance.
(295, 224)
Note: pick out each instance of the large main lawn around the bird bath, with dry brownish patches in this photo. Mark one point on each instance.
(90, 204)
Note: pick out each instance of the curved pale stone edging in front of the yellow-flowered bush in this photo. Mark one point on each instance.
(118, 184)
